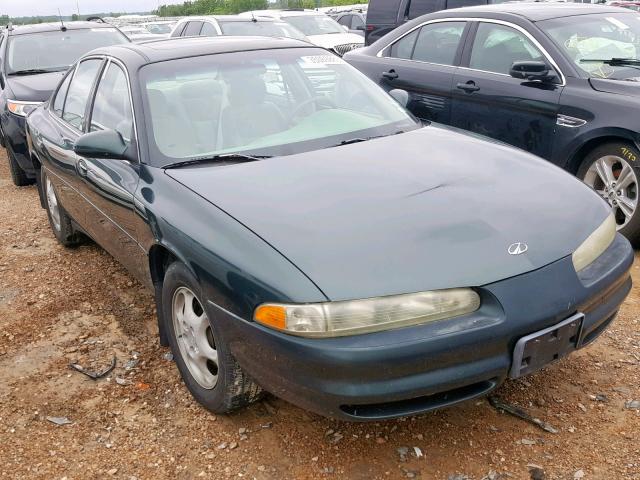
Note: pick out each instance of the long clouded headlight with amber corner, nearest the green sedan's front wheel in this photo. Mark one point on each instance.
(335, 319)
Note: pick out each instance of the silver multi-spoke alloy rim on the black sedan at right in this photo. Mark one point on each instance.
(614, 180)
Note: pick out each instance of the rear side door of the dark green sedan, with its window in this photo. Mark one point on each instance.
(68, 111)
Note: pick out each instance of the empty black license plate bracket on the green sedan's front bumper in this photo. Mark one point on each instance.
(534, 351)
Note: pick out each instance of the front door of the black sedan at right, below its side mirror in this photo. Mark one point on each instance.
(487, 100)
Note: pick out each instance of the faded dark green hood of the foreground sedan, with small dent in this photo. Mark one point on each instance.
(424, 210)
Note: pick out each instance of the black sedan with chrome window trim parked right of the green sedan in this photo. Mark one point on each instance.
(558, 80)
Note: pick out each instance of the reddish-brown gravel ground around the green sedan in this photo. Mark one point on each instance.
(60, 306)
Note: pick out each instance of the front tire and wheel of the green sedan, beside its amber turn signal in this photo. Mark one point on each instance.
(207, 367)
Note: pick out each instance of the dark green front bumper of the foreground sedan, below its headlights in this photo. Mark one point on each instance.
(415, 369)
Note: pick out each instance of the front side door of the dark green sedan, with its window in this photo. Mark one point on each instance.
(107, 184)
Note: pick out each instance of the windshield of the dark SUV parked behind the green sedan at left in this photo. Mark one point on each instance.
(56, 50)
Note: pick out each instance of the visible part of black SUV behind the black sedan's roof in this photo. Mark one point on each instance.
(385, 15)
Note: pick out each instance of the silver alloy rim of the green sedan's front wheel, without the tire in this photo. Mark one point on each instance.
(195, 338)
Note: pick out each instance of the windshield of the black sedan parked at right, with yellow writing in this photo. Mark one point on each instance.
(601, 36)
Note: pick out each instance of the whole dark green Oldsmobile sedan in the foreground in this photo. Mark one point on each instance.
(317, 242)
